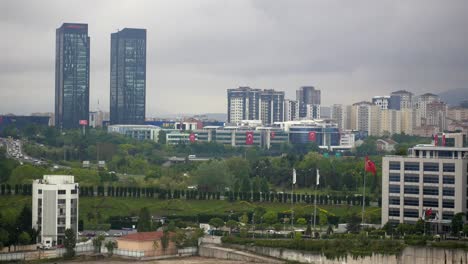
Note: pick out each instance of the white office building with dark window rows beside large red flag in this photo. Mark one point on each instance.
(431, 177)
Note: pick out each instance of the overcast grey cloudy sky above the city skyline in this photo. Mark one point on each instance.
(351, 50)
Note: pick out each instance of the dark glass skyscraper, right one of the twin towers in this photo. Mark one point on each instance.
(128, 76)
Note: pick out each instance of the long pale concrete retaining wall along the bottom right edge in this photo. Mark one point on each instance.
(410, 255)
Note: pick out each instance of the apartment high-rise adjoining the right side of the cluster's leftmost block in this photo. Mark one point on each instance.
(271, 106)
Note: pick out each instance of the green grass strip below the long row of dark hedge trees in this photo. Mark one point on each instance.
(113, 206)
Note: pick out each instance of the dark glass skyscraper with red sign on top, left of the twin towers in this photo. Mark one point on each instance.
(71, 75)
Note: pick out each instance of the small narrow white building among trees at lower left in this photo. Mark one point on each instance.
(54, 208)
